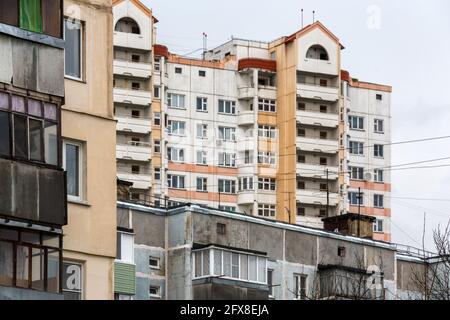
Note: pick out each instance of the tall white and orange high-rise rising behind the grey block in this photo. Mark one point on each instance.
(271, 129)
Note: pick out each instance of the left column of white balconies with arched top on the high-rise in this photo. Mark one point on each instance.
(133, 56)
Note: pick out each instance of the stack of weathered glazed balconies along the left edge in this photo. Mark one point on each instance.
(33, 207)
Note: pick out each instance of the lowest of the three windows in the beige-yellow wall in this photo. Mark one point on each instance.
(72, 281)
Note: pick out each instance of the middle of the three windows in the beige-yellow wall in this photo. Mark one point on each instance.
(74, 167)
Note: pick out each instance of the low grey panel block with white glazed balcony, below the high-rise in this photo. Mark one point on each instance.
(197, 253)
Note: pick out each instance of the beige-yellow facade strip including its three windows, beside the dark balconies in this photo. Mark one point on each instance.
(88, 151)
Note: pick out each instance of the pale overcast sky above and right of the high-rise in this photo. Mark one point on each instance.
(405, 44)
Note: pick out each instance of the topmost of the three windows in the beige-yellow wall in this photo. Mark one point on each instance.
(73, 48)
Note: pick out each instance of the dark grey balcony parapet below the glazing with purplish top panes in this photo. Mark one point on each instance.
(31, 193)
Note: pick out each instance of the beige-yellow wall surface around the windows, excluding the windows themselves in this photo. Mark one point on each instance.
(90, 236)
